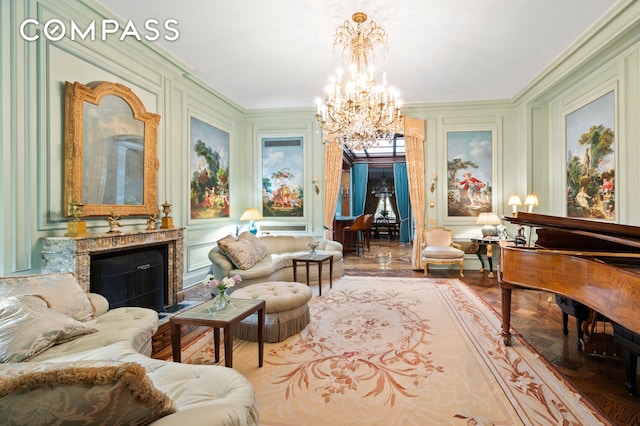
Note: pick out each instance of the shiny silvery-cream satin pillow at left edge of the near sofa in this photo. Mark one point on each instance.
(28, 327)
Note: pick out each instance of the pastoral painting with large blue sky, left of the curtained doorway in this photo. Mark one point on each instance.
(282, 177)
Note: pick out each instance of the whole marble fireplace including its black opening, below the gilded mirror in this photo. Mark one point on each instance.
(78, 254)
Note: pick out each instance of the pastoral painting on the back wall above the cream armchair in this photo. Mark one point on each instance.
(469, 172)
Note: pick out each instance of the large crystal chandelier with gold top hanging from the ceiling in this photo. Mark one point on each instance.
(358, 112)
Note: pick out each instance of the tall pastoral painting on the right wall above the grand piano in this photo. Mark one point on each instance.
(590, 139)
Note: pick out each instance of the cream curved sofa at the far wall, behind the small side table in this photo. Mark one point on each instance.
(270, 258)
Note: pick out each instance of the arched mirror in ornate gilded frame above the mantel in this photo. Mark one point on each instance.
(110, 147)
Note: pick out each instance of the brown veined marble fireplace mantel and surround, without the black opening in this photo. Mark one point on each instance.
(73, 254)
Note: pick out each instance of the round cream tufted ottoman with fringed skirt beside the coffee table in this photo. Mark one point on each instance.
(286, 313)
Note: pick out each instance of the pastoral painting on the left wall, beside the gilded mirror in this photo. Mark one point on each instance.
(209, 163)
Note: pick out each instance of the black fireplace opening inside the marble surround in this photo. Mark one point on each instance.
(136, 277)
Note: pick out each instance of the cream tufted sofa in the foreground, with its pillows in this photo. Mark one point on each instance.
(66, 357)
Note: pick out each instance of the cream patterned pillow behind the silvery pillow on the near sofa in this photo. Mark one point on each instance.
(61, 290)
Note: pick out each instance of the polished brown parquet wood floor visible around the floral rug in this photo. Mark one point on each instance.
(534, 315)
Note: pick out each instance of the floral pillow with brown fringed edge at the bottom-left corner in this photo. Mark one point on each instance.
(82, 392)
